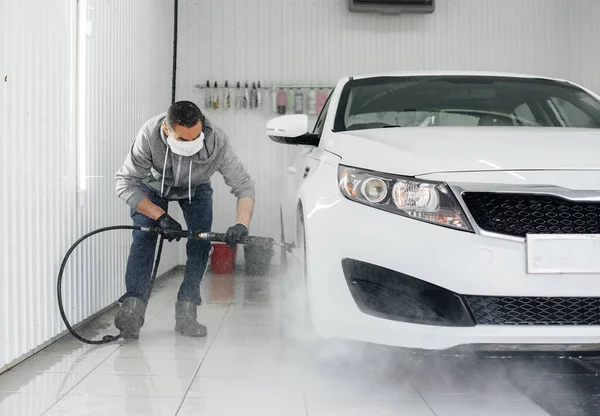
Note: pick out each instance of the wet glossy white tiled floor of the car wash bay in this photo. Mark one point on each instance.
(244, 366)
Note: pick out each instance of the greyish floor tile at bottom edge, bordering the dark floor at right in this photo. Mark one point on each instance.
(486, 408)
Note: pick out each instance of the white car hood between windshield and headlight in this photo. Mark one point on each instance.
(426, 150)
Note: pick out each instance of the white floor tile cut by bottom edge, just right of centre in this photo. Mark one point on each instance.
(352, 408)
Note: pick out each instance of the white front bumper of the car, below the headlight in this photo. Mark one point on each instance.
(458, 262)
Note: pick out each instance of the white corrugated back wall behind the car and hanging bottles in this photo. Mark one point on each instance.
(319, 41)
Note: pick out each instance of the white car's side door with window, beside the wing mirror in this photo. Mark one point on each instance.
(304, 161)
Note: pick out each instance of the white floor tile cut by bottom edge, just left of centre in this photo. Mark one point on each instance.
(246, 407)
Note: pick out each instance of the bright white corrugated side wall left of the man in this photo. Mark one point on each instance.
(128, 80)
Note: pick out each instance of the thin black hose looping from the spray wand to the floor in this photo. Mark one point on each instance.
(107, 338)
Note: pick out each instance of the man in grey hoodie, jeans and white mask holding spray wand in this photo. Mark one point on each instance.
(172, 159)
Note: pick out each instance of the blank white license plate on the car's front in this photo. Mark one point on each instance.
(563, 253)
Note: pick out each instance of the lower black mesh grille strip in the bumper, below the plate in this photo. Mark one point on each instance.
(493, 310)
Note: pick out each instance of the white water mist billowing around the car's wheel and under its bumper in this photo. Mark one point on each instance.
(380, 373)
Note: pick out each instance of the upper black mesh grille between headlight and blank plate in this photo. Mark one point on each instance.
(521, 214)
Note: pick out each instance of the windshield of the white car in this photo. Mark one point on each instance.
(429, 101)
